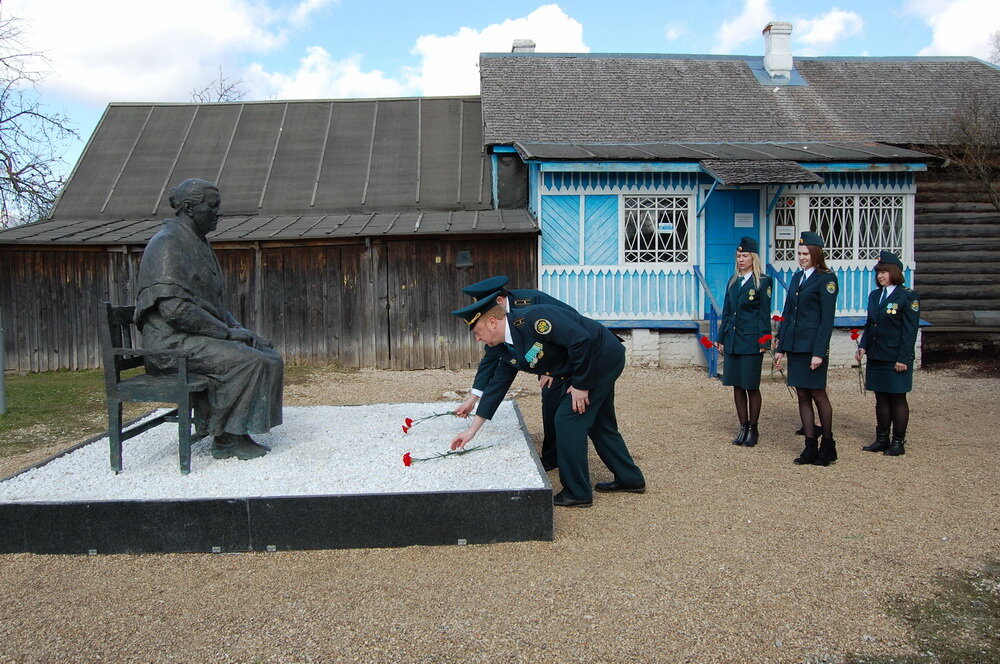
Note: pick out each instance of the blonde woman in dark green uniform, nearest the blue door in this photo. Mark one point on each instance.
(744, 336)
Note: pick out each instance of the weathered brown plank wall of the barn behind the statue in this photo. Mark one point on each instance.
(378, 303)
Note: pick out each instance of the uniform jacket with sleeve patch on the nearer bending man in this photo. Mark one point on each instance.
(550, 340)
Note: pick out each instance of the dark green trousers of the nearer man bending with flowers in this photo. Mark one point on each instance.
(600, 423)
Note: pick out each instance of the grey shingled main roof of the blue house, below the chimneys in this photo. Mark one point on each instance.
(637, 98)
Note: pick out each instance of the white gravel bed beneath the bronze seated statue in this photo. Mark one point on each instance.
(319, 450)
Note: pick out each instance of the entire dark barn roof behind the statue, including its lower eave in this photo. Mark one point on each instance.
(287, 170)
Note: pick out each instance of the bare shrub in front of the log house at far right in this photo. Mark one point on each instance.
(974, 140)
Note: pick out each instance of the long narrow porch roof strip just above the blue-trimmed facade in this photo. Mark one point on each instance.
(812, 152)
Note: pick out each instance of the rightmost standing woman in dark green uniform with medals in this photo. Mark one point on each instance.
(889, 339)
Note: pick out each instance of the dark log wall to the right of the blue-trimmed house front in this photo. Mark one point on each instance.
(956, 243)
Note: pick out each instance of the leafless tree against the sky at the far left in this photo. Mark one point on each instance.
(32, 139)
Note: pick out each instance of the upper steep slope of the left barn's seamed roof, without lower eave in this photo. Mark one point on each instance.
(285, 158)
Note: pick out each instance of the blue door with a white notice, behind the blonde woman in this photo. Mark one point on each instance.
(729, 216)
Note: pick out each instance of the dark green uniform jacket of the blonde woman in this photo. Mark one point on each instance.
(746, 316)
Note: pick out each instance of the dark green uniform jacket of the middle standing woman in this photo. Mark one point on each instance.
(808, 314)
